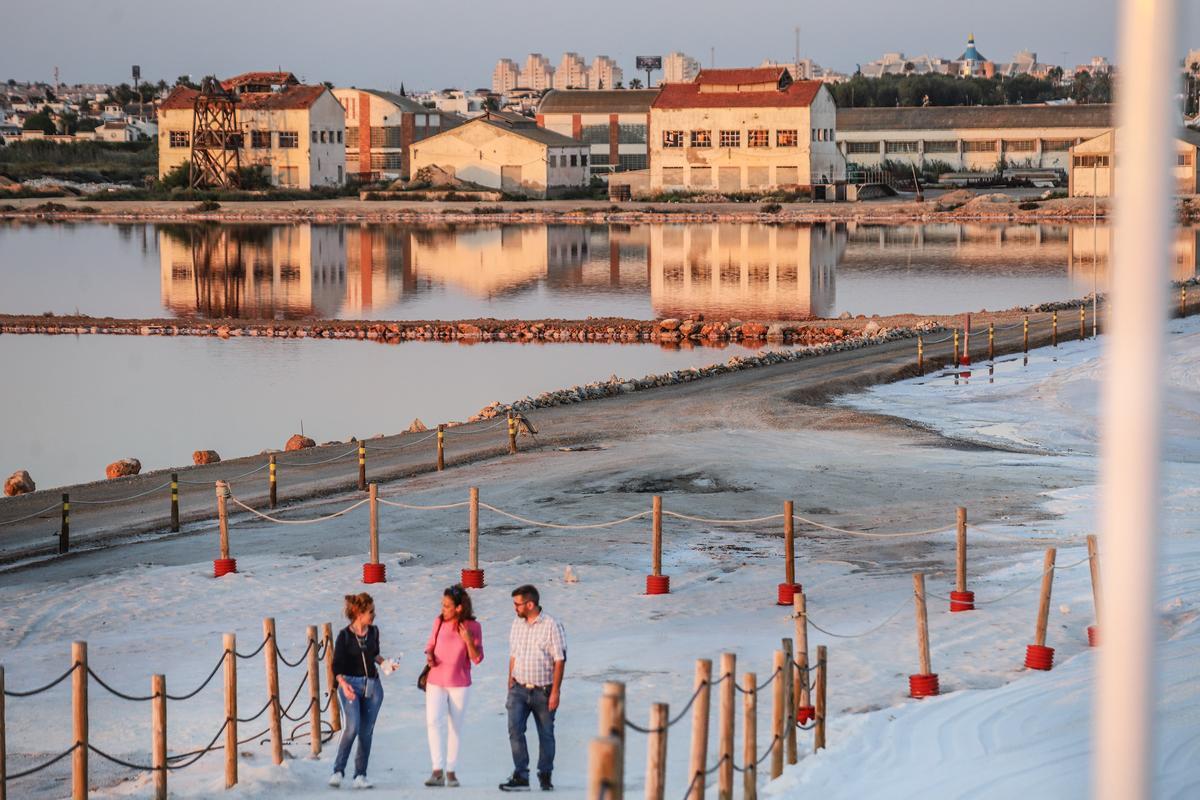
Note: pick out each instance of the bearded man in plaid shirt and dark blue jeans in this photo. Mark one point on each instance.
(537, 658)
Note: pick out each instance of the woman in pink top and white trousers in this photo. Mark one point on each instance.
(455, 645)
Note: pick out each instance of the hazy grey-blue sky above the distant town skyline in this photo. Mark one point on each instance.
(454, 44)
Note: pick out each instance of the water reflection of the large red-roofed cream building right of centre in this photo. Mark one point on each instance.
(745, 270)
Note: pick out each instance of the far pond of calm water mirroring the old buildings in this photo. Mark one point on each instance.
(404, 272)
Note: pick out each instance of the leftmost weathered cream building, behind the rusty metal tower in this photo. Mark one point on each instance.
(295, 133)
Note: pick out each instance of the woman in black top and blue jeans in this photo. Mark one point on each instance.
(356, 661)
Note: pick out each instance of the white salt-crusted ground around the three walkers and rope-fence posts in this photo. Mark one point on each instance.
(999, 732)
